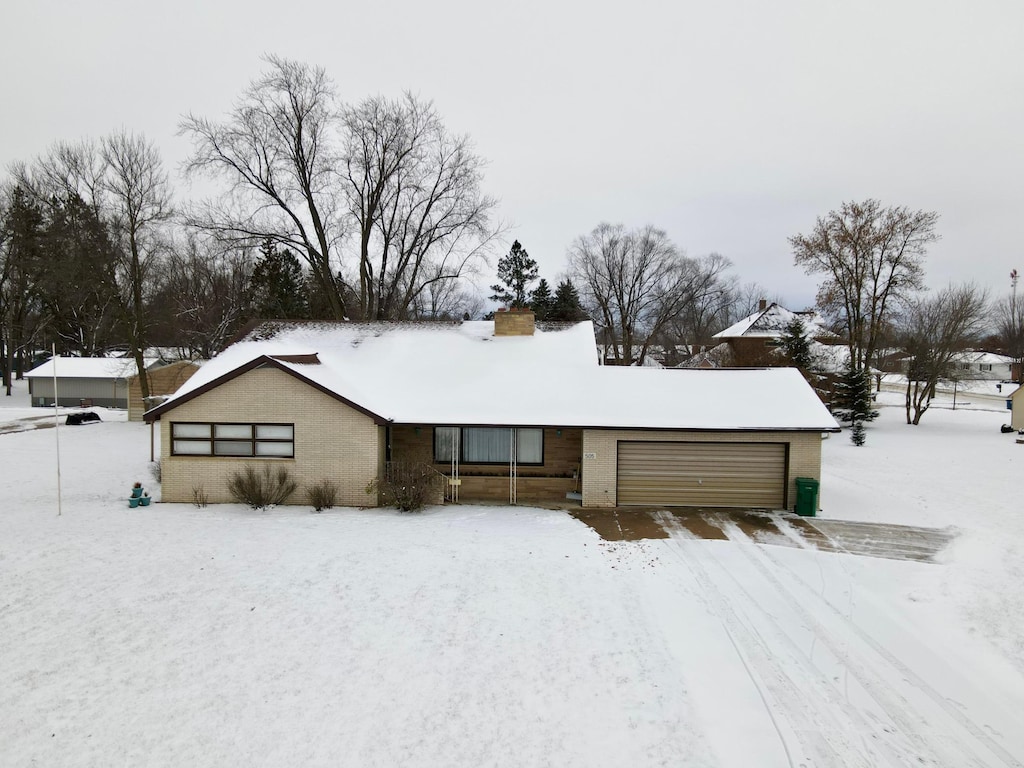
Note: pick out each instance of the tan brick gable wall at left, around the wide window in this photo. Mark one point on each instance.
(332, 441)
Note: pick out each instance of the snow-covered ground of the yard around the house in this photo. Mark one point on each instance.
(493, 636)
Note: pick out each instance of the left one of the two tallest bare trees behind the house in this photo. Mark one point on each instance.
(278, 151)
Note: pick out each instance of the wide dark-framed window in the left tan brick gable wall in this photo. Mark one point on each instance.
(262, 441)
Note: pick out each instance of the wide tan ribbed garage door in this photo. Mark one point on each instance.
(702, 475)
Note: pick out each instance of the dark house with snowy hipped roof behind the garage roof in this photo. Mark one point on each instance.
(755, 340)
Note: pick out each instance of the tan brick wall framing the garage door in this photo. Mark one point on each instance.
(601, 472)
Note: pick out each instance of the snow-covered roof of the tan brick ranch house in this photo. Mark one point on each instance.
(462, 374)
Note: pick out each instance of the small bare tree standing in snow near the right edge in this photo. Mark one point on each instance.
(934, 329)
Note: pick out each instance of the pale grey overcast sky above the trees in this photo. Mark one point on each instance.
(730, 124)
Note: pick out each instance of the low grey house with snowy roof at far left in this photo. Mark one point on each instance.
(84, 381)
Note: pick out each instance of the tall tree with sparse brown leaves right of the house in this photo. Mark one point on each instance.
(871, 258)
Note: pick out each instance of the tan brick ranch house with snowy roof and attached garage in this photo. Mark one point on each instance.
(503, 412)
